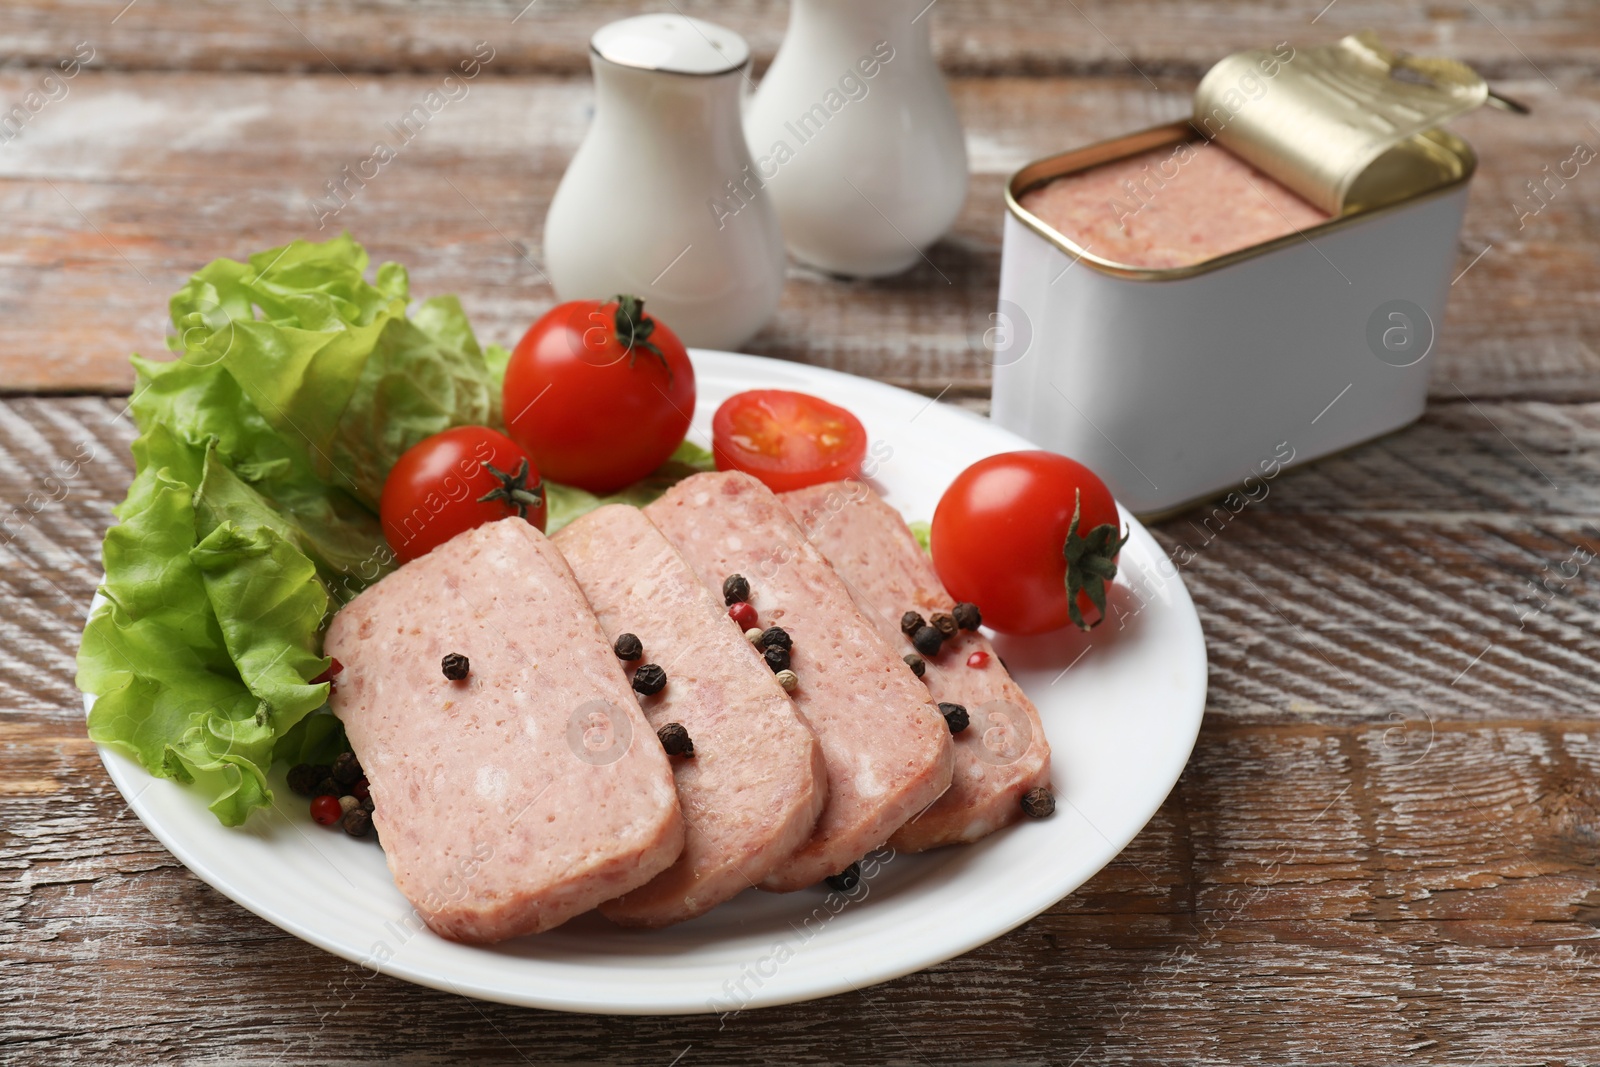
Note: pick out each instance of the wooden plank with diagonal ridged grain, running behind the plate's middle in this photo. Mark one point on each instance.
(1425, 578)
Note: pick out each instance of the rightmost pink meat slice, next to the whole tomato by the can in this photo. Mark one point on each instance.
(1004, 753)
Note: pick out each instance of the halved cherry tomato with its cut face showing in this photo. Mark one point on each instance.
(788, 439)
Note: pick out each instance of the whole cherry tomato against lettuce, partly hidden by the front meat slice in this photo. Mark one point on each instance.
(457, 481)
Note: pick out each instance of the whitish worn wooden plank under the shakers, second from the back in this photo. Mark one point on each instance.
(114, 194)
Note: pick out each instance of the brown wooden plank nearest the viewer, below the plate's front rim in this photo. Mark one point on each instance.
(1308, 895)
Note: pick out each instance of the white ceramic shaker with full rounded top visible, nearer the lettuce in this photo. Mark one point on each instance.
(638, 207)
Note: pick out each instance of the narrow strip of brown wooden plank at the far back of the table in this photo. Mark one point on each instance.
(988, 38)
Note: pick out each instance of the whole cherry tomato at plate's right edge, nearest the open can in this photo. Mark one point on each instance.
(1031, 538)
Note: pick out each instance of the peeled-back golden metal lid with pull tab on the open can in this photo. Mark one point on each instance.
(1345, 126)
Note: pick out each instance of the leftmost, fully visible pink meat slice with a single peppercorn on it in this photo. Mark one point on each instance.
(534, 789)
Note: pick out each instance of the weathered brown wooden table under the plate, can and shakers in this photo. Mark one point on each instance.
(1385, 845)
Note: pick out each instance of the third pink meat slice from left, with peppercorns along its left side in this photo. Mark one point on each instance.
(887, 748)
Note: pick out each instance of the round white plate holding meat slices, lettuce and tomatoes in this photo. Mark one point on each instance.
(1121, 706)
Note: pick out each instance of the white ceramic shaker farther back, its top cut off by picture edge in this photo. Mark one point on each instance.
(857, 138)
